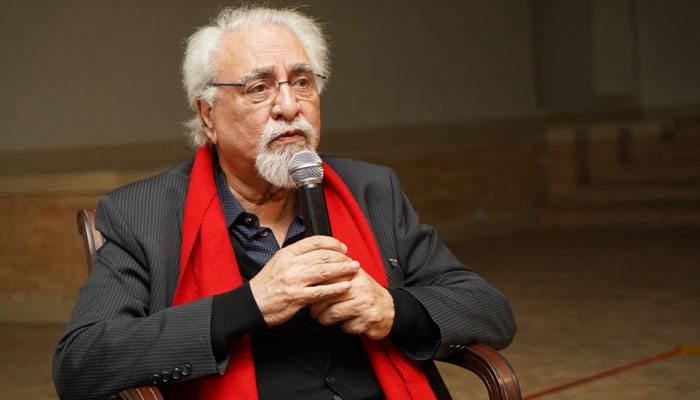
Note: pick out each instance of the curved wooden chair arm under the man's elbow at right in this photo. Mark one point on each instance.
(491, 367)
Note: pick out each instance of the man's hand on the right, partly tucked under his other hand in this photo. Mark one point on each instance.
(366, 308)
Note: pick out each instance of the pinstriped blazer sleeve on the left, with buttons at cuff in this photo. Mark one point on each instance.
(122, 331)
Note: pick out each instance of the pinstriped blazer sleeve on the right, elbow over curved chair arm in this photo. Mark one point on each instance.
(463, 305)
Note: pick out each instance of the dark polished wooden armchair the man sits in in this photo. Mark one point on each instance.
(489, 365)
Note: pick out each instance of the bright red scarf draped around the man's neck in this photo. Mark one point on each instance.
(208, 266)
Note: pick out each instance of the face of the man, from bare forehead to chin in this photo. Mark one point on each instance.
(236, 124)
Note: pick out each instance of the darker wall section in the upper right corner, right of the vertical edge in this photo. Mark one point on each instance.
(594, 55)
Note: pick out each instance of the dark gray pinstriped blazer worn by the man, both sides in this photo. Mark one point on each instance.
(123, 328)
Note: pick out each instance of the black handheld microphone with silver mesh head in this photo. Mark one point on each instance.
(306, 170)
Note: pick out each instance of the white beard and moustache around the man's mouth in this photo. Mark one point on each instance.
(273, 164)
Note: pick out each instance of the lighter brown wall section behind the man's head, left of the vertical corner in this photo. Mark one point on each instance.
(87, 73)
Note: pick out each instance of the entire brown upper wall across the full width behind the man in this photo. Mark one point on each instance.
(106, 73)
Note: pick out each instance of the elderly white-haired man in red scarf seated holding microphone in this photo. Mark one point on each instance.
(207, 284)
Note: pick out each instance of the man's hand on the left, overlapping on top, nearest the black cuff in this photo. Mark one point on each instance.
(305, 272)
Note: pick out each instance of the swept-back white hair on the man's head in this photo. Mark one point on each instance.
(198, 65)
